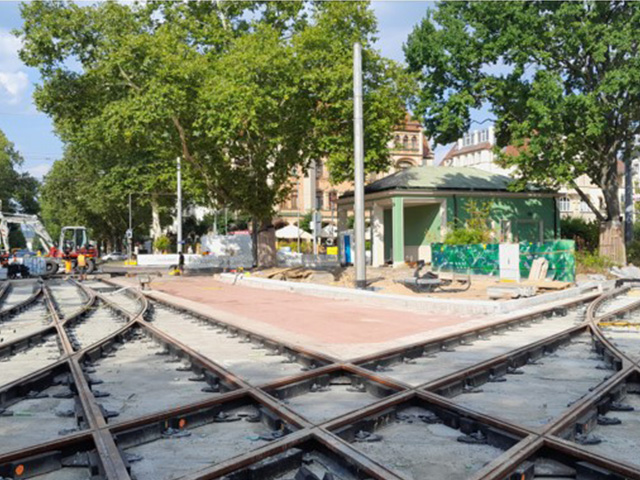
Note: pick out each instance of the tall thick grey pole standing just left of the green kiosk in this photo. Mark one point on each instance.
(358, 130)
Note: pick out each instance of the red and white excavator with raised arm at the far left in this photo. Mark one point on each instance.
(73, 242)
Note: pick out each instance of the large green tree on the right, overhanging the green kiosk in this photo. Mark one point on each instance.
(561, 78)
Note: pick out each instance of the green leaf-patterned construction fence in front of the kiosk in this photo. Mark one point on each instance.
(484, 259)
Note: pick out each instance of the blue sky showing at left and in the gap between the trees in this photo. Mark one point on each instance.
(32, 131)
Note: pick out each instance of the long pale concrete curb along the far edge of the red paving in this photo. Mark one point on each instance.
(416, 304)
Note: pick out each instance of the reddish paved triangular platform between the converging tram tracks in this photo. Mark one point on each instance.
(320, 321)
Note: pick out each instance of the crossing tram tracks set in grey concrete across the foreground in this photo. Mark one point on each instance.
(258, 424)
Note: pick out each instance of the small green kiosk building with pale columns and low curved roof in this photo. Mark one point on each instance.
(413, 208)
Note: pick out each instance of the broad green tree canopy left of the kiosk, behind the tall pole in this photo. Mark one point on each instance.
(243, 91)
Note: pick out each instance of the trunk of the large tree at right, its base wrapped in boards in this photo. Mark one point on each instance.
(611, 231)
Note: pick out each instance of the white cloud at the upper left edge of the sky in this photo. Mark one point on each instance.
(13, 79)
